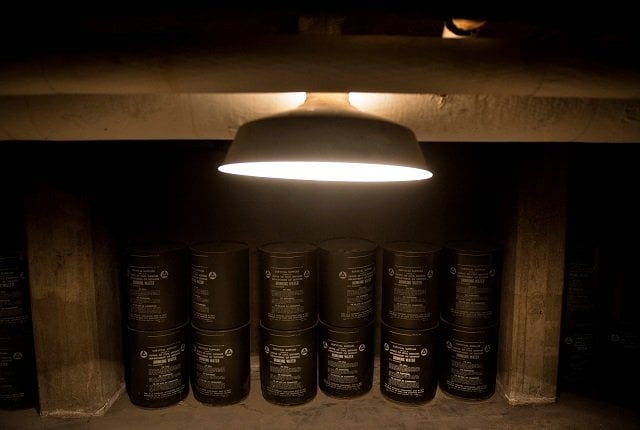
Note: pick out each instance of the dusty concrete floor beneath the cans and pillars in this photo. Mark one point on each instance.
(369, 411)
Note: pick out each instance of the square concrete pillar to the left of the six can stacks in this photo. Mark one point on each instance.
(75, 304)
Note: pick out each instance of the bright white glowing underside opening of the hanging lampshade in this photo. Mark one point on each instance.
(327, 171)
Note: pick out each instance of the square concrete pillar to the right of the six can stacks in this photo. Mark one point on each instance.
(533, 279)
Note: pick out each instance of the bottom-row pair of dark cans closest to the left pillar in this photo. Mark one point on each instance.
(164, 365)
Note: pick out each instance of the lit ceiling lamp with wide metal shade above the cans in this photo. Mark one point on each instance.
(326, 139)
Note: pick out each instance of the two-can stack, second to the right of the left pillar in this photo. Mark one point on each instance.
(220, 322)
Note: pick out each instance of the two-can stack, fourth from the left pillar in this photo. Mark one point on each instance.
(347, 316)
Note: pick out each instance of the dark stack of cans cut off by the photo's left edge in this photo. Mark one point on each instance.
(18, 386)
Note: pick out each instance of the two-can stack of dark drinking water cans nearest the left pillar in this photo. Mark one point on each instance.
(157, 370)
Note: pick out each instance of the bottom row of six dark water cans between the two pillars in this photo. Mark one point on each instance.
(164, 365)
